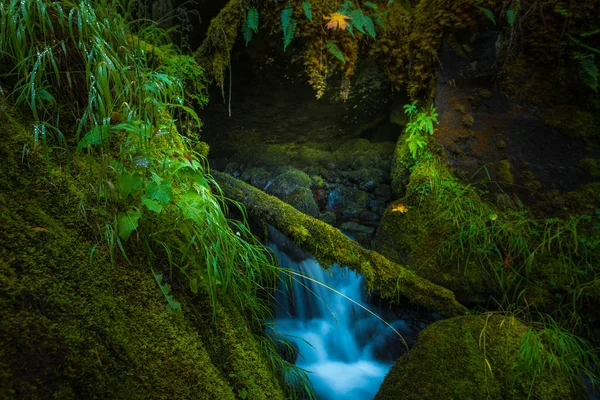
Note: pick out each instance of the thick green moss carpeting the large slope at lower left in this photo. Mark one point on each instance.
(75, 329)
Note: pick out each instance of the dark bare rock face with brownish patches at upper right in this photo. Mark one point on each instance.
(482, 129)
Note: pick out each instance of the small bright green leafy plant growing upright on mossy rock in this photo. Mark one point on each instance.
(421, 123)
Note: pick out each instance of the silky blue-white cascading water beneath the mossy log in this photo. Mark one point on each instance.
(347, 350)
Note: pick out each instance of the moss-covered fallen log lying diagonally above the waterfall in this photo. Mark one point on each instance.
(330, 246)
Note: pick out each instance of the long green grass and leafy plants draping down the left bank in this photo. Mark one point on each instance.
(100, 94)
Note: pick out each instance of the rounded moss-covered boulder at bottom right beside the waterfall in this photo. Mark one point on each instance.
(471, 357)
